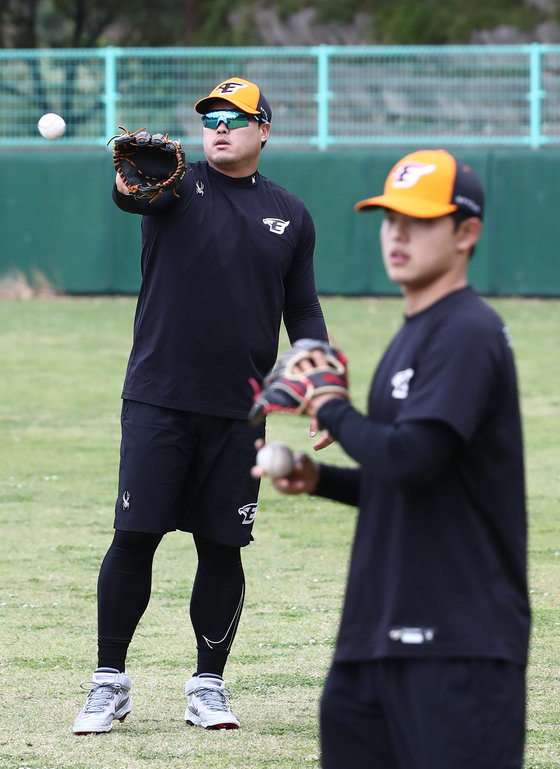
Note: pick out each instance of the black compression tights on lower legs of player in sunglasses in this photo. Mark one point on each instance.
(123, 593)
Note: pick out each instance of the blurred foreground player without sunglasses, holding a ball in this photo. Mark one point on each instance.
(429, 667)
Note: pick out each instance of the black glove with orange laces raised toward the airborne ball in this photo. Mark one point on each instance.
(149, 164)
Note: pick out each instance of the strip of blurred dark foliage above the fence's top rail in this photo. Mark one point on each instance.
(93, 23)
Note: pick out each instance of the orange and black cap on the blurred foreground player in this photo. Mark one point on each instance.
(427, 184)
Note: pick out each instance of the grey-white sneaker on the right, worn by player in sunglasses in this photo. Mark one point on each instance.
(207, 703)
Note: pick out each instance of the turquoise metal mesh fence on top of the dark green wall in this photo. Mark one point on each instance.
(322, 96)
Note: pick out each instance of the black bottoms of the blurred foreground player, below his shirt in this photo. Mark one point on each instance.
(424, 714)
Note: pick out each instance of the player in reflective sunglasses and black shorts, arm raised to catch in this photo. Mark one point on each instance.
(223, 263)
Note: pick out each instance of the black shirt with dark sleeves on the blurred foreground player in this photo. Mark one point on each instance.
(438, 565)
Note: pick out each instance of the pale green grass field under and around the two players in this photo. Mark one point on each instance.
(63, 362)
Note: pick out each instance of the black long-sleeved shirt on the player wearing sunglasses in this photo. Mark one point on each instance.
(222, 265)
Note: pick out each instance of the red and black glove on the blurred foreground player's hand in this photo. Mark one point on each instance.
(287, 390)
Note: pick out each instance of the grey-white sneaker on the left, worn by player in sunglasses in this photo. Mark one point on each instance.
(108, 699)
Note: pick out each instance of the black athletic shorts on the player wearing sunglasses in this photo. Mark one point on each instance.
(188, 471)
